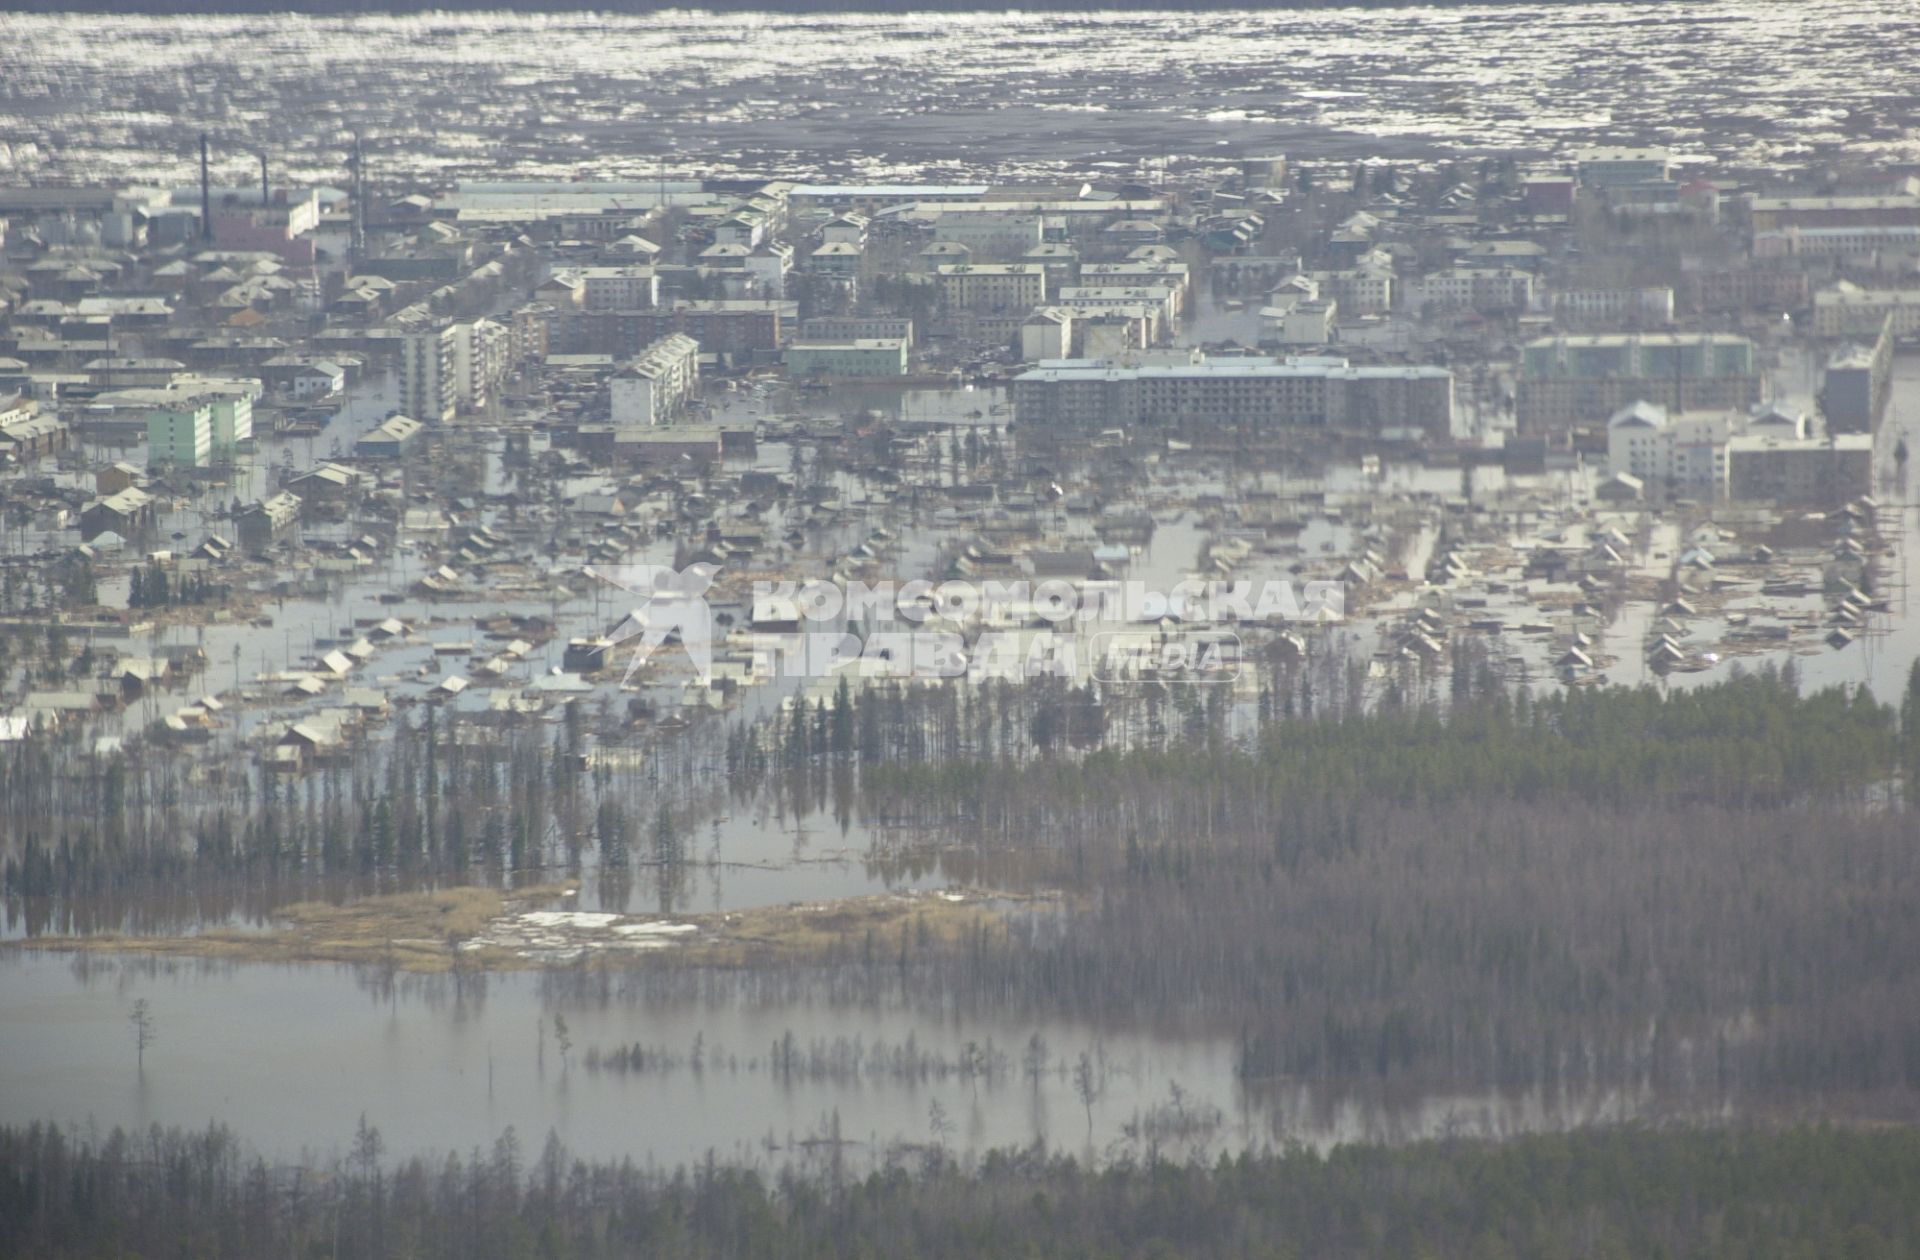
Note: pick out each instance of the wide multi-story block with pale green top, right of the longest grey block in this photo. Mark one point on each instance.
(1581, 381)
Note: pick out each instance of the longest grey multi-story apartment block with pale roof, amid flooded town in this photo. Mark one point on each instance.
(1314, 393)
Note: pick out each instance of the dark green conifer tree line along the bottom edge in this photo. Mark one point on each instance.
(1744, 1194)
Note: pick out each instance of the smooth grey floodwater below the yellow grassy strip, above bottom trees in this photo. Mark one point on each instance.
(293, 1057)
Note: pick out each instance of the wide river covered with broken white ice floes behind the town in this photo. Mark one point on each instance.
(880, 97)
